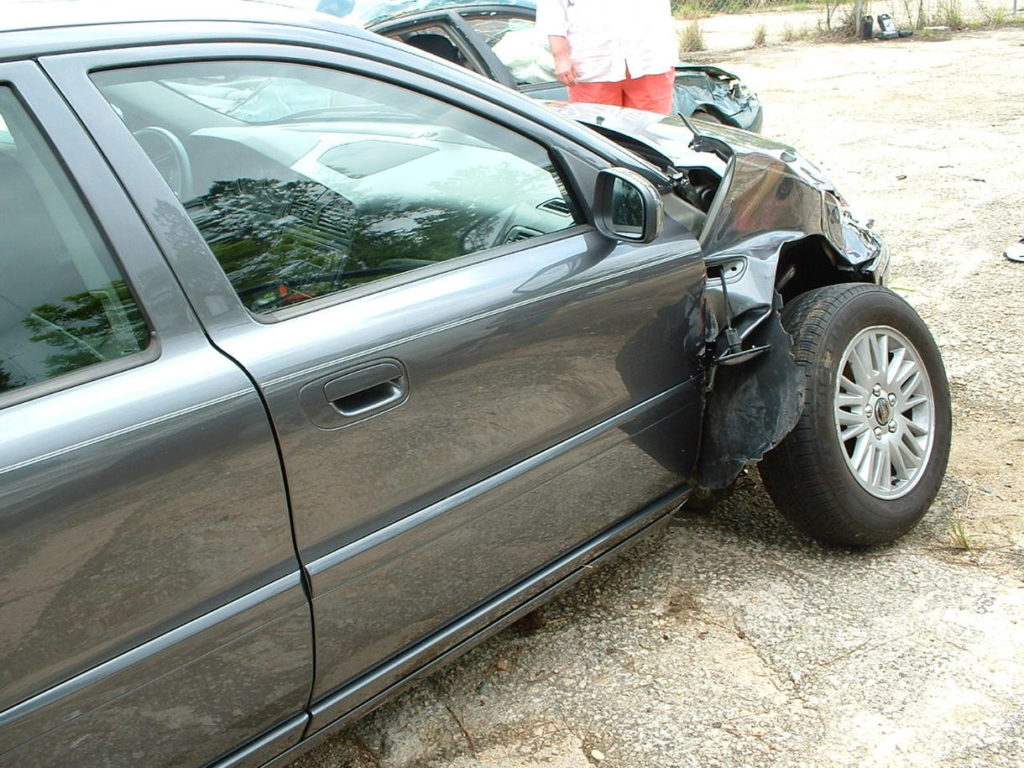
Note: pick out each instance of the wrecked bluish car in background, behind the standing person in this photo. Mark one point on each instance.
(499, 40)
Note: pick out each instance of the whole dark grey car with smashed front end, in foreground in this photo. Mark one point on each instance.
(323, 359)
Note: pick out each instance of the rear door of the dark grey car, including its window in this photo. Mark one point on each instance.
(151, 606)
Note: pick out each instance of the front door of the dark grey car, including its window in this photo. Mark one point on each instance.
(466, 379)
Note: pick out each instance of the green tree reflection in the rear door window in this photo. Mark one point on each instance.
(81, 331)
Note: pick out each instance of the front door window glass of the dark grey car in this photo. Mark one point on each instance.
(306, 182)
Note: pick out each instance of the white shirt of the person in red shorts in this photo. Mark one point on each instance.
(610, 38)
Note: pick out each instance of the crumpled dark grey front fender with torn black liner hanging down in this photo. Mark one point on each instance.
(770, 199)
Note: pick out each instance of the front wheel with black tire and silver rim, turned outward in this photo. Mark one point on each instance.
(843, 475)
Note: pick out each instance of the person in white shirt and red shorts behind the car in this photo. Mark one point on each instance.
(620, 53)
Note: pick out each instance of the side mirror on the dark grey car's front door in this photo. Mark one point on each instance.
(627, 206)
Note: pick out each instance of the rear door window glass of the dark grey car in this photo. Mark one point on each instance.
(64, 304)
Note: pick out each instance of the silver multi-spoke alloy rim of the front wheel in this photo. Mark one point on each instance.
(884, 412)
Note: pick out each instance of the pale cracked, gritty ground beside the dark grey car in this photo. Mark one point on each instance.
(732, 642)
